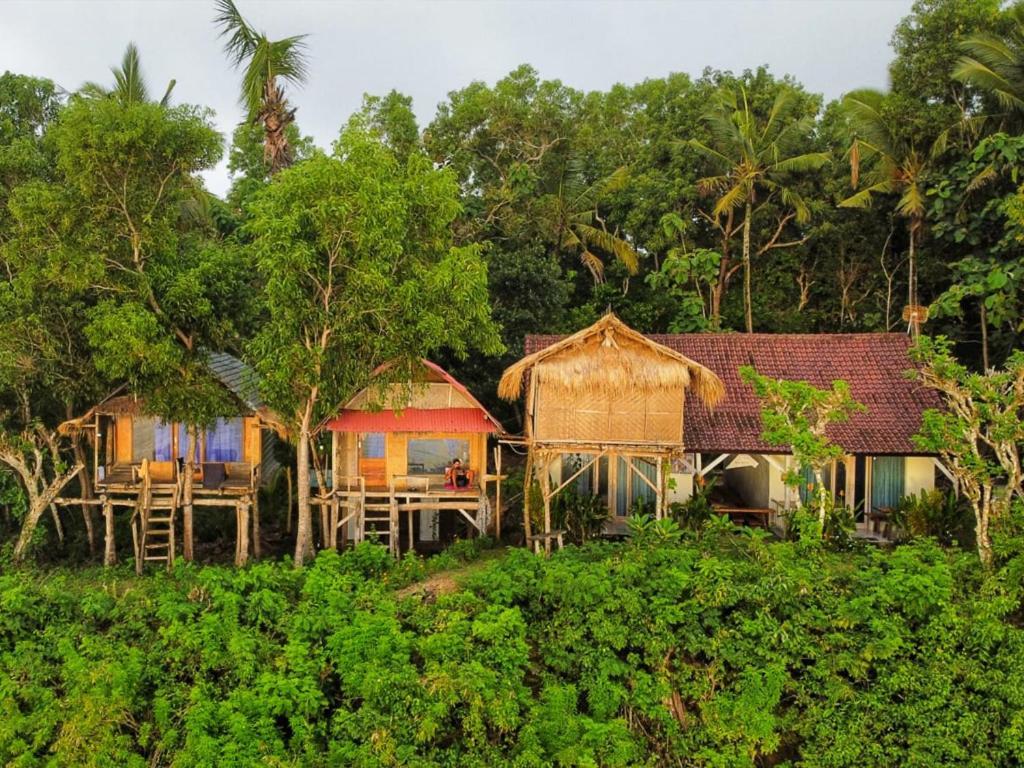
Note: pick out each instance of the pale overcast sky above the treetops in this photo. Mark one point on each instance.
(428, 50)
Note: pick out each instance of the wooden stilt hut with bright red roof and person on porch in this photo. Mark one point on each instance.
(392, 449)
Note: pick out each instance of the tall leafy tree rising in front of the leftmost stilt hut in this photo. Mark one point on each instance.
(117, 222)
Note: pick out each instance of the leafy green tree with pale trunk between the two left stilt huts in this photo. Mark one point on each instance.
(359, 270)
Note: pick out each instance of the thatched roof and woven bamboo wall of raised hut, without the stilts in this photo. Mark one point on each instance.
(609, 385)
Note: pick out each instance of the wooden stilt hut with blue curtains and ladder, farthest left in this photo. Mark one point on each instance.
(140, 465)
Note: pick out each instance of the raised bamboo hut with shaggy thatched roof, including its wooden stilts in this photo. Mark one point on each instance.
(605, 406)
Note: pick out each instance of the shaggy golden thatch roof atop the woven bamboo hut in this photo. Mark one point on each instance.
(610, 359)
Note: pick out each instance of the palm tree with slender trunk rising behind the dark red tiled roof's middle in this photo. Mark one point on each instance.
(753, 164)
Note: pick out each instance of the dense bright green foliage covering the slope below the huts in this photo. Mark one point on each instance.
(729, 651)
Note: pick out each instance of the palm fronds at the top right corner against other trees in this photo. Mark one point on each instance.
(996, 65)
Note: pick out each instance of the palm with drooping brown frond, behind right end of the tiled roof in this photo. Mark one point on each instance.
(900, 169)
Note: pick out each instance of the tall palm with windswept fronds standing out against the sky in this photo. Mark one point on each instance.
(267, 63)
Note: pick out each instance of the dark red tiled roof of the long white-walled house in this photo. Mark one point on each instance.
(874, 365)
